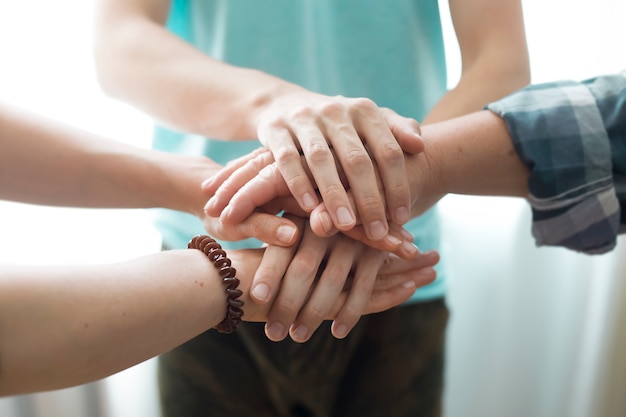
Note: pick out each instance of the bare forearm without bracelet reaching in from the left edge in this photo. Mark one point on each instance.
(46, 162)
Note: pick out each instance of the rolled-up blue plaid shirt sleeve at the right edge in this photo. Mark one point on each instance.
(572, 137)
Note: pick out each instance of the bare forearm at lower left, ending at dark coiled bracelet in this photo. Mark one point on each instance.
(63, 326)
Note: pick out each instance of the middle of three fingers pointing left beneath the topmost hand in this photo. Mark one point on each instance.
(236, 180)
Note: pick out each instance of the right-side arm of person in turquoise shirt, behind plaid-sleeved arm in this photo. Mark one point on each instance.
(494, 55)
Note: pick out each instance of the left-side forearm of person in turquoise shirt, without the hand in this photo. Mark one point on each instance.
(174, 82)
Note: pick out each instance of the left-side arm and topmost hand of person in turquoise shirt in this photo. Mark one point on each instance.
(191, 91)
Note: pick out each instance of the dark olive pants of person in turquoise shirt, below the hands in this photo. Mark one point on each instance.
(391, 364)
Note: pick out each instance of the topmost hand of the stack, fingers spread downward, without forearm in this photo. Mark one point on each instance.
(367, 141)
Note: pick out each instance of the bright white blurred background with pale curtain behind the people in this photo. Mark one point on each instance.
(533, 332)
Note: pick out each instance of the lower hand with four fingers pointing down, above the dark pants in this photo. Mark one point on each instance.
(304, 281)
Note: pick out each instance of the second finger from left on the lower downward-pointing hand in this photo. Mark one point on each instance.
(295, 285)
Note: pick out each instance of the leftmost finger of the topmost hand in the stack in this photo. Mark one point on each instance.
(284, 147)
